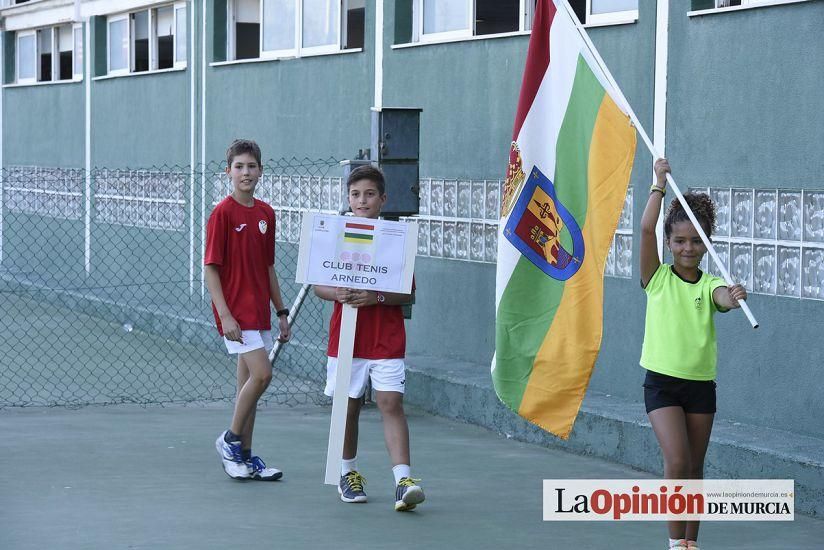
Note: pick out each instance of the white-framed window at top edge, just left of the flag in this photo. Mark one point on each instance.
(437, 20)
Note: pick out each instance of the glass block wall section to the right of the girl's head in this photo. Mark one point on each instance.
(772, 240)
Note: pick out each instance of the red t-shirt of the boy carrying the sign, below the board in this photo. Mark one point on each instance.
(379, 332)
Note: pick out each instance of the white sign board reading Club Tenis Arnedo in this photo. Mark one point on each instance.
(363, 253)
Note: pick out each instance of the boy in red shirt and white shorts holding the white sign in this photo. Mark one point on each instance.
(379, 350)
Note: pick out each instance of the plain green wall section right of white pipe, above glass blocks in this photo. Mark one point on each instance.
(745, 96)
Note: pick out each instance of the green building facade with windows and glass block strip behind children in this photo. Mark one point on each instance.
(730, 90)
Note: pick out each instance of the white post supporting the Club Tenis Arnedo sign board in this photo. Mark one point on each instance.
(340, 401)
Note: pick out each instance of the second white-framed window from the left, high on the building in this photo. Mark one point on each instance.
(147, 40)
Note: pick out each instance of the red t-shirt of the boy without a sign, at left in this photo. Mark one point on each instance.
(241, 241)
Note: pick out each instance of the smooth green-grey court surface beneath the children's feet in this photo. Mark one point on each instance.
(149, 478)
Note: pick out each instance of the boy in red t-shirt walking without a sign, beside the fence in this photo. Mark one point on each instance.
(240, 275)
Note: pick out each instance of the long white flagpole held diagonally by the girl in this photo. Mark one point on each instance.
(616, 90)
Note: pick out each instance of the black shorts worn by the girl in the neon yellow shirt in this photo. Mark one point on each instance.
(694, 396)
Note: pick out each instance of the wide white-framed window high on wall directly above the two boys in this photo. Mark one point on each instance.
(289, 28)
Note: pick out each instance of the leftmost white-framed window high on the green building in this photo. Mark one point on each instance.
(49, 55)
